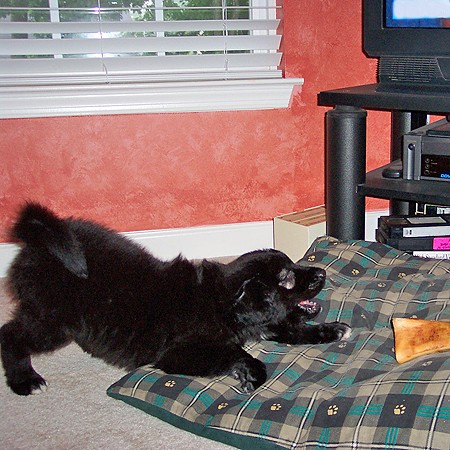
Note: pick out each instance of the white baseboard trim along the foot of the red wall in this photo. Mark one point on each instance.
(201, 242)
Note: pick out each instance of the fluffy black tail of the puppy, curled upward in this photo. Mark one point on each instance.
(39, 227)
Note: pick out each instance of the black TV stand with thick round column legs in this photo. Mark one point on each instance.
(346, 181)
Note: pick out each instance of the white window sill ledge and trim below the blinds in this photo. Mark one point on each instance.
(190, 96)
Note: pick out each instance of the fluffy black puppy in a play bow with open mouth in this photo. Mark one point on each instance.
(77, 281)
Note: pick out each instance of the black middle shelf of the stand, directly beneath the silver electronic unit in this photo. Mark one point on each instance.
(423, 191)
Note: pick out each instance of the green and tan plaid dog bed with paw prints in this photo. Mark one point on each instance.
(346, 395)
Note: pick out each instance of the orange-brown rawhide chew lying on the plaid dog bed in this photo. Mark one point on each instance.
(415, 337)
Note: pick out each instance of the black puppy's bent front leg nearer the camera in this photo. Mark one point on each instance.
(214, 359)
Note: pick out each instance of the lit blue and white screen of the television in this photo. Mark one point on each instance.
(418, 13)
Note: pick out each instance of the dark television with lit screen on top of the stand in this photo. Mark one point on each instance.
(411, 38)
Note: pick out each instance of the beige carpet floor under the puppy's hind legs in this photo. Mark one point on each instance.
(76, 413)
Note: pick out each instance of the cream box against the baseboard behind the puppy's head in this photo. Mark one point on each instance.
(295, 232)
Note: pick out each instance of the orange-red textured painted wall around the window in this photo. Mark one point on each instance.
(152, 171)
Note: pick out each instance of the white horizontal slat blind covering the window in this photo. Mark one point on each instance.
(78, 44)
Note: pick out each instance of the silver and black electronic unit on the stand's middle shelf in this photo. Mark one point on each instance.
(426, 152)
